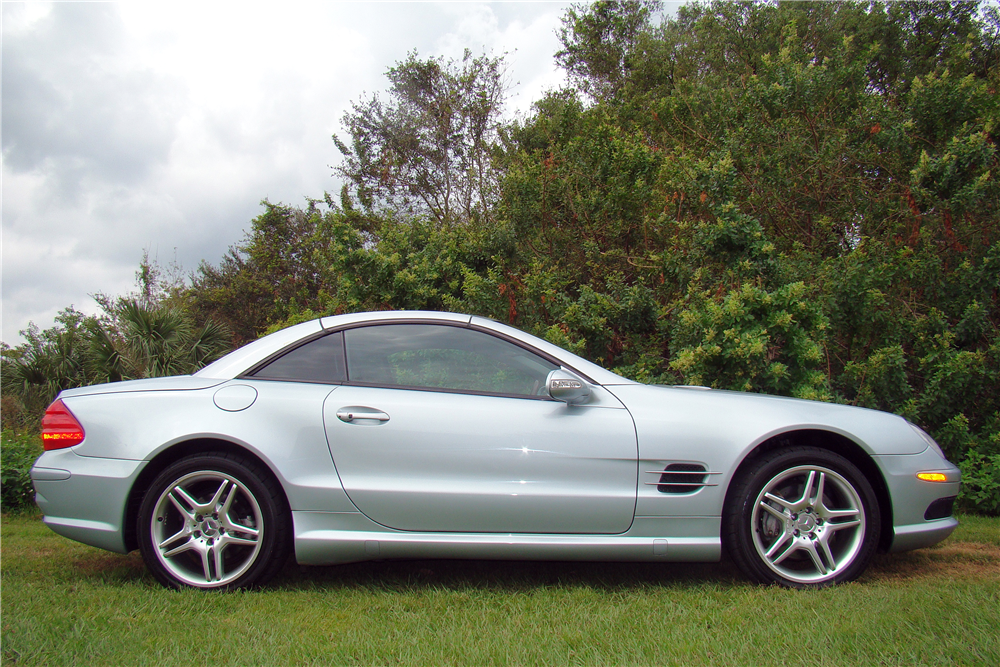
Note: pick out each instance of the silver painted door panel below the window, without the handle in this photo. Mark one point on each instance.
(470, 463)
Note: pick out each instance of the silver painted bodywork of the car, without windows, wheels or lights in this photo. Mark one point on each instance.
(439, 477)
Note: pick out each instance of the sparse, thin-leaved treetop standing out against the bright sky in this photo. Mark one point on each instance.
(428, 150)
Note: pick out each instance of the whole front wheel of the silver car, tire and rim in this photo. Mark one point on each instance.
(802, 517)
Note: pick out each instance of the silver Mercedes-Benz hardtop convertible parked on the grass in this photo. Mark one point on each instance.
(436, 435)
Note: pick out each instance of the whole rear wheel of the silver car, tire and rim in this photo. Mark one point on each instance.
(214, 521)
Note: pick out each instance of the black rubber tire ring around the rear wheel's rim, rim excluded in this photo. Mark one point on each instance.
(271, 509)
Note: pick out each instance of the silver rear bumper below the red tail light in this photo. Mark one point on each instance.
(84, 498)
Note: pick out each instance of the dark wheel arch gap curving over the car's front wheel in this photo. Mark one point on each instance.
(833, 442)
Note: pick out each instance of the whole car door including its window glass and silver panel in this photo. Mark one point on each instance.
(448, 429)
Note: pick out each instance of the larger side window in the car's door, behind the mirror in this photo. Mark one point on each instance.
(442, 357)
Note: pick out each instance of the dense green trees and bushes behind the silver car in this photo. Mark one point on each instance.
(794, 198)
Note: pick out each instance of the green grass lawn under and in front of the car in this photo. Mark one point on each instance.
(64, 603)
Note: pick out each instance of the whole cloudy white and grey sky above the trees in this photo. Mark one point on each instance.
(159, 126)
